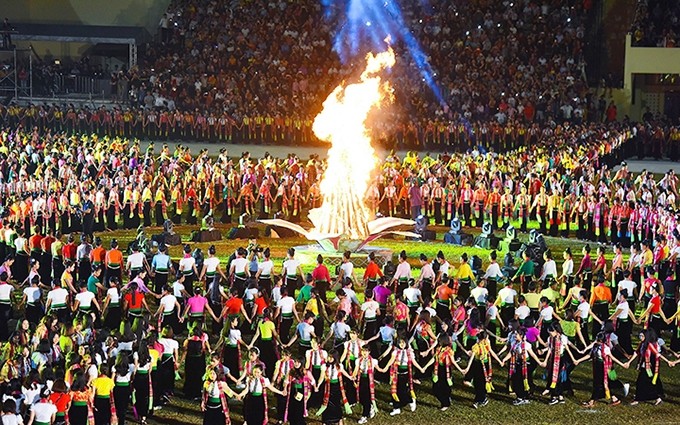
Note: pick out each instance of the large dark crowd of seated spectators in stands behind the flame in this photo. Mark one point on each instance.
(495, 63)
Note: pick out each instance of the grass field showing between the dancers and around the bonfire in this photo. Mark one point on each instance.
(499, 410)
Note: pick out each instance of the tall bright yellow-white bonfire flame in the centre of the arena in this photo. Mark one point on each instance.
(351, 158)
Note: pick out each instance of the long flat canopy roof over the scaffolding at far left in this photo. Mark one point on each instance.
(81, 33)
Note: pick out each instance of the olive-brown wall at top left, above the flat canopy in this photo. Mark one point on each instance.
(144, 13)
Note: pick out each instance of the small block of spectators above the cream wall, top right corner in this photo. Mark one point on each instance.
(656, 23)
